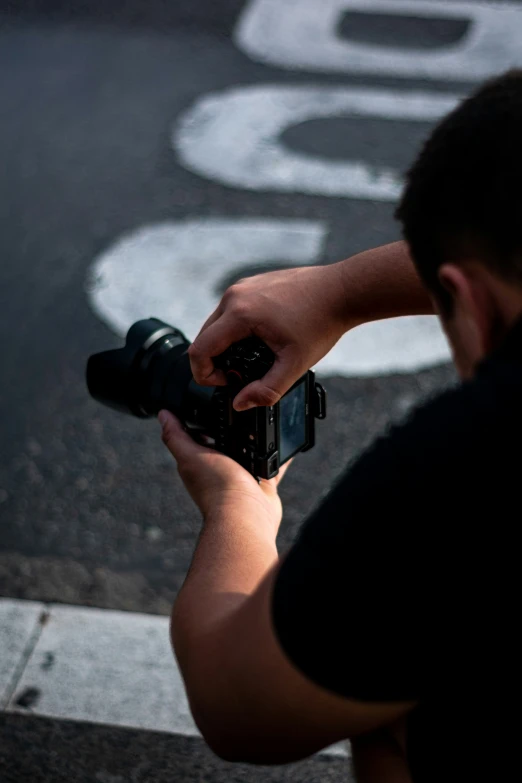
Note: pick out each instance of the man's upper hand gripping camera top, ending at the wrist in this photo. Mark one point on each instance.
(299, 313)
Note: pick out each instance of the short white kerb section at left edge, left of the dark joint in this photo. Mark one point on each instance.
(19, 630)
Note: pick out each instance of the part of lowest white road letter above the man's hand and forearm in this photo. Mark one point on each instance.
(173, 270)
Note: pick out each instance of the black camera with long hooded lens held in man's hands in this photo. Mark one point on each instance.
(152, 372)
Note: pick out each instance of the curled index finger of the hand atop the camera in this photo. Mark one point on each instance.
(215, 339)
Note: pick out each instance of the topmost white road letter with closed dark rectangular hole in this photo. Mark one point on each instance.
(302, 34)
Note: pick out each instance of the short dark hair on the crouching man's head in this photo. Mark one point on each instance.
(463, 195)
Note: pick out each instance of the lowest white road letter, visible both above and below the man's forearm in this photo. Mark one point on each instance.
(173, 270)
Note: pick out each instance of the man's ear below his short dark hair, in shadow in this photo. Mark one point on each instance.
(474, 312)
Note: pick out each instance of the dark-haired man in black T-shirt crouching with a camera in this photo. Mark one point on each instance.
(392, 620)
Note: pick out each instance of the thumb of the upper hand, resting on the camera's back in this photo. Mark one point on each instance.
(269, 389)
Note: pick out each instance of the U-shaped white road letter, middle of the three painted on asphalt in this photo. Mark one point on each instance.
(234, 137)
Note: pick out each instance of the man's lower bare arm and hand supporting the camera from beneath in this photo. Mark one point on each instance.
(249, 701)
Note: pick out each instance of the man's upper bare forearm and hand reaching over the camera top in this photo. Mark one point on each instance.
(301, 313)
